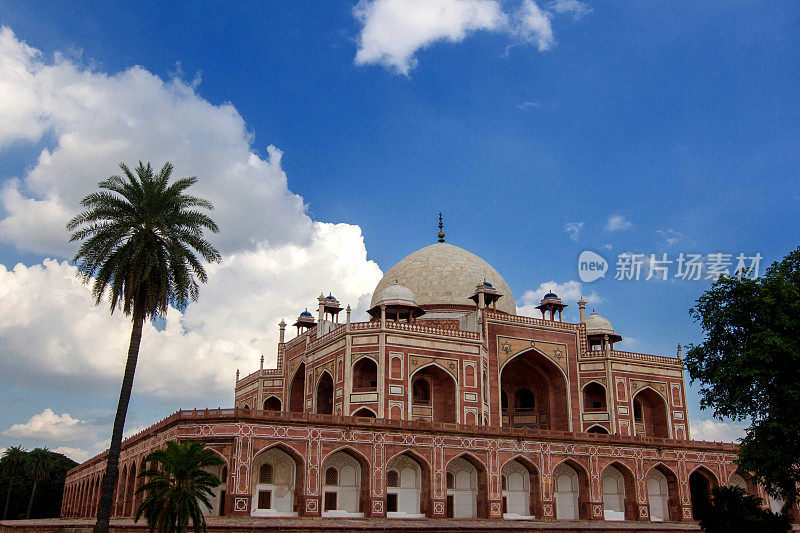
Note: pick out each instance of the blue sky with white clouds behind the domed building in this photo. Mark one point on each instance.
(514, 121)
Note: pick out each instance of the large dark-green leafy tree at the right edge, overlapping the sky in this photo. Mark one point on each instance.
(748, 366)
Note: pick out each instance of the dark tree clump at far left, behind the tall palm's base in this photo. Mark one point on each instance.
(17, 484)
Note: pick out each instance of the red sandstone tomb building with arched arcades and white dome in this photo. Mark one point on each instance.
(445, 408)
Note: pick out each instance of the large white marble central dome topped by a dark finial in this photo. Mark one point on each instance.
(445, 274)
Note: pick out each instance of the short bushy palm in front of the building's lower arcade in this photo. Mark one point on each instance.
(176, 486)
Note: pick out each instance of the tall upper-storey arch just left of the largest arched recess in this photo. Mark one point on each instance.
(433, 395)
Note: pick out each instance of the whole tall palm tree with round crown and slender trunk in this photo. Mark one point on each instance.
(140, 235)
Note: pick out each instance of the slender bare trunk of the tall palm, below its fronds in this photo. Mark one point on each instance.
(112, 465)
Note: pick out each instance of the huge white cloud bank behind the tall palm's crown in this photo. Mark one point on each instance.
(276, 259)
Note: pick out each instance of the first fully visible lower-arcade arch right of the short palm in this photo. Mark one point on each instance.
(275, 475)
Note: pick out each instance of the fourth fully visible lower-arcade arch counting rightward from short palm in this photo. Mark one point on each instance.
(466, 484)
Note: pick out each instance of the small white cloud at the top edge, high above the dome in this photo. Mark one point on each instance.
(393, 31)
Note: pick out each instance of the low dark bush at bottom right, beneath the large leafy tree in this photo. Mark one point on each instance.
(732, 510)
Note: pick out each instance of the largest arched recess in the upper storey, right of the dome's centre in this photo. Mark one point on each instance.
(535, 393)
